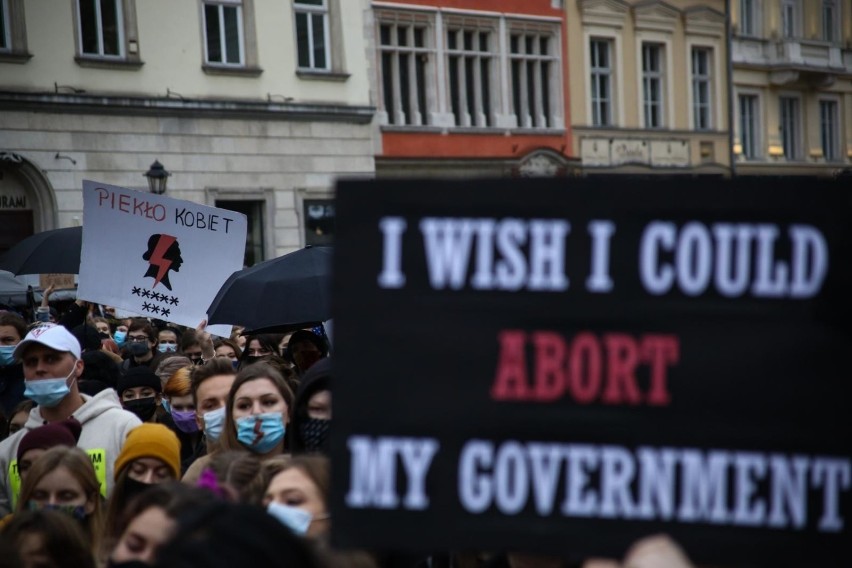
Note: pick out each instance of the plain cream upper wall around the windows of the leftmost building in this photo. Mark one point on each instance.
(170, 44)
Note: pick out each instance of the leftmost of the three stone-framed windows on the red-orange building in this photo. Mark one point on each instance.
(405, 64)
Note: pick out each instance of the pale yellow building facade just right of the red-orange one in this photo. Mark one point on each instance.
(649, 86)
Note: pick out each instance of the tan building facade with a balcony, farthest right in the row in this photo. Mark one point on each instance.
(792, 83)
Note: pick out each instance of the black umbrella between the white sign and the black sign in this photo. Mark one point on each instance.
(287, 292)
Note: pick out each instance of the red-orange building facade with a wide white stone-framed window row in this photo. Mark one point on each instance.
(471, 88)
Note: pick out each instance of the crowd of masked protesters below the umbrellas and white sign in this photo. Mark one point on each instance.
(135, 442)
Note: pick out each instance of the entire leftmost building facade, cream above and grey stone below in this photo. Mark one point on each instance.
(253, 105)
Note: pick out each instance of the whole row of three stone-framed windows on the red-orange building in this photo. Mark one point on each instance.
(467, 71)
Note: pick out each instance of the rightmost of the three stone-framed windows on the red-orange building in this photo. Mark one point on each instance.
(533, 63)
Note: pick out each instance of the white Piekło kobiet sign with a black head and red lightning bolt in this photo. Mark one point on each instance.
(160, 257)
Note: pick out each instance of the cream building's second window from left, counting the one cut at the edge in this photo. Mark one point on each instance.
(101, 28)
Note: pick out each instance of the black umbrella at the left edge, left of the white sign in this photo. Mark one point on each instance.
(56, 251)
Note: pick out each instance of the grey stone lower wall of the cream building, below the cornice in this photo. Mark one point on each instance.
(278, 163)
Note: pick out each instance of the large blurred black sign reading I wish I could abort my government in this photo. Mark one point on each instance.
(567, 366)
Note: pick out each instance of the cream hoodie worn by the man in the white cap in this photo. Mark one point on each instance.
(105, 427)
